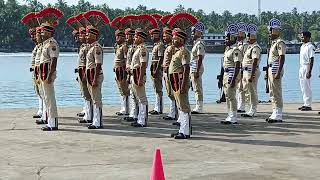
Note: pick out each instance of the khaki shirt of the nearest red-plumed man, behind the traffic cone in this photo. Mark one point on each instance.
(180, 58)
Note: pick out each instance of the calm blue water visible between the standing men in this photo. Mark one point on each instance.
(17, 91)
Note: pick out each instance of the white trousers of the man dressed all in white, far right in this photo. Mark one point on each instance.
(305, 85)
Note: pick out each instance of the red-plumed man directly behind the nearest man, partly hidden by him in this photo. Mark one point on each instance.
(168, 53)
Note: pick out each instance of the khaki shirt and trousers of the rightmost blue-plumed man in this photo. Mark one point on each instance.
(277, 49)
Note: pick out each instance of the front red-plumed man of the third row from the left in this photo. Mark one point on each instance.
(138, 67)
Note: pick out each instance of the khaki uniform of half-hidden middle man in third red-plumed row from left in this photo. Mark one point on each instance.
(134, 109)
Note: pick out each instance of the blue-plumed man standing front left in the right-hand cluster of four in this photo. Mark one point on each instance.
(232, 76)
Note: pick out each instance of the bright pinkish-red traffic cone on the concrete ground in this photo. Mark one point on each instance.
(157, 168)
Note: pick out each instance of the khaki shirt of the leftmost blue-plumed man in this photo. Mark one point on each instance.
(197, 50)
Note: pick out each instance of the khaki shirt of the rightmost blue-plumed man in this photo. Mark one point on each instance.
(278, 48)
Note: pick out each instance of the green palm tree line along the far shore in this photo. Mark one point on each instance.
(14, 35)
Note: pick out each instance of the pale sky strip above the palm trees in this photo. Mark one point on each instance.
(234, 6)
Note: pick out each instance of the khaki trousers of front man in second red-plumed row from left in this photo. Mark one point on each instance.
(95, 92)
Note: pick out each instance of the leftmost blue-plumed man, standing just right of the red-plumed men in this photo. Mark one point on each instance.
(196, 67)
